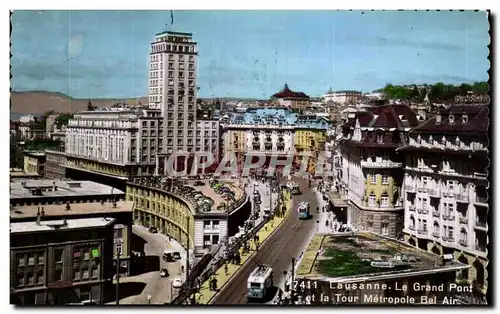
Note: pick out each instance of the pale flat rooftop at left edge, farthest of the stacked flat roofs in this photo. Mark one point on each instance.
(26, 188)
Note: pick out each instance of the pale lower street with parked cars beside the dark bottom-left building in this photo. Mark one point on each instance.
(160, 289)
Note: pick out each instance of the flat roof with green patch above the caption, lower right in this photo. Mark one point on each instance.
(348, 258)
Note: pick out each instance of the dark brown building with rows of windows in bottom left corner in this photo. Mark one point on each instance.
(56, 262)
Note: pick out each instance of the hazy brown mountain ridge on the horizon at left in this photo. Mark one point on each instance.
(39, 102)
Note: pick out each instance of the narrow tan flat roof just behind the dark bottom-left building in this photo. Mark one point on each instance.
(18, 212)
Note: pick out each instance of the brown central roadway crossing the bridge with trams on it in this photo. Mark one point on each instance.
(289, 241)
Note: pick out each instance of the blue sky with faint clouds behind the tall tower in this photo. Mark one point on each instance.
(249, 54)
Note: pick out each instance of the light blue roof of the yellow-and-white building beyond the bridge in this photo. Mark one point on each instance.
(278, 117)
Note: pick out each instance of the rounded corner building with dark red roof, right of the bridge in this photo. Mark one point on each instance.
(372, 171)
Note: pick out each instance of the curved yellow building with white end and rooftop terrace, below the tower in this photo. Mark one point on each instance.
(204, 220)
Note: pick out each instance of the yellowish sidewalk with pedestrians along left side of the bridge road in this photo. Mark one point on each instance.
(205, 295)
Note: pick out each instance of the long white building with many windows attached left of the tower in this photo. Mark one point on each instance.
(119, 142)
